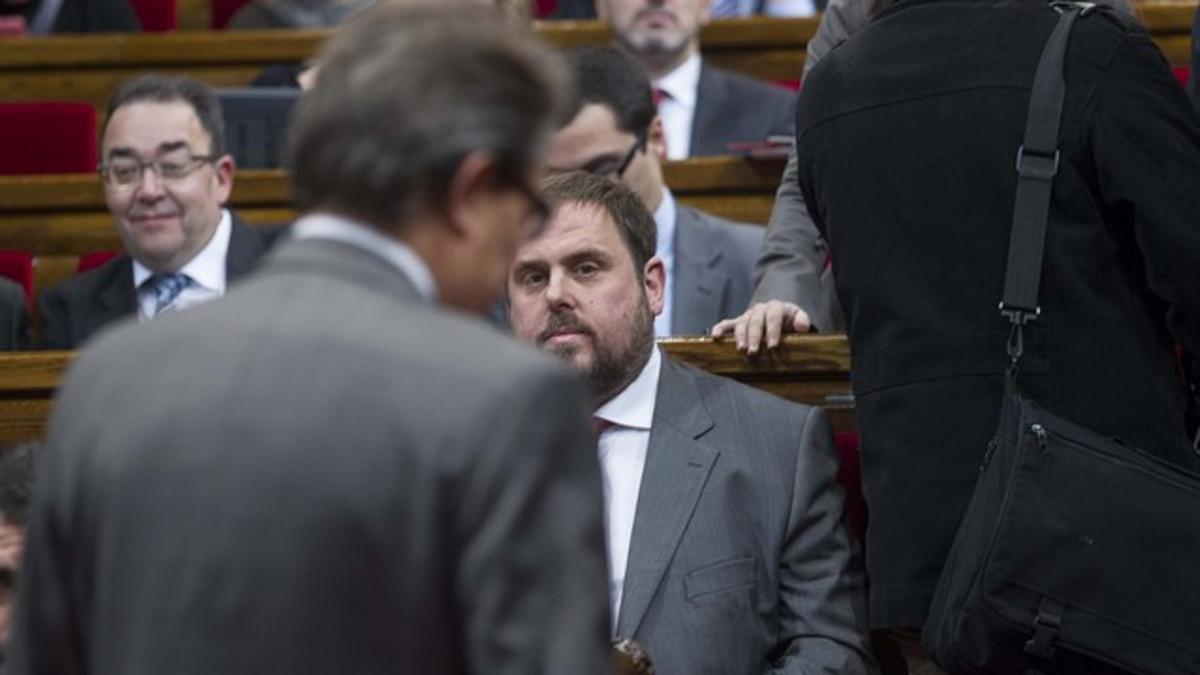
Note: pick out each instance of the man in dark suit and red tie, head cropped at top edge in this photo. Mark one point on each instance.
(704, 109)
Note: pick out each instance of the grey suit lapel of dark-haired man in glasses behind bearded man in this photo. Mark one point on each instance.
(699, 282)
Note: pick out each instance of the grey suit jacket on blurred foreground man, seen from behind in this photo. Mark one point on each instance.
(319, 474)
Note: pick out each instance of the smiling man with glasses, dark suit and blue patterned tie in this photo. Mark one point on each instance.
(167, 180)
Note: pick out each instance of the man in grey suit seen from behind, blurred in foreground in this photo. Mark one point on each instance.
(326, 473)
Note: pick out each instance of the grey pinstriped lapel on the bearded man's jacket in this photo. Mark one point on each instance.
(677, 465)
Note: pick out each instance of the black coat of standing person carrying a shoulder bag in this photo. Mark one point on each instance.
(907, 162)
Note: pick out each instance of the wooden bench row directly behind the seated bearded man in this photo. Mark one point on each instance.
(812, 371)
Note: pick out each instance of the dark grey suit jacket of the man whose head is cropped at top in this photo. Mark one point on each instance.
(733, 107)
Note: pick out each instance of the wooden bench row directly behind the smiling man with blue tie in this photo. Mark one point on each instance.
(59, 218)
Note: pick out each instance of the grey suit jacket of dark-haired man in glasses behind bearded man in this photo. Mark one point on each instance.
(715, 264)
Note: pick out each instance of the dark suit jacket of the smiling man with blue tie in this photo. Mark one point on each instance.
(76, 309)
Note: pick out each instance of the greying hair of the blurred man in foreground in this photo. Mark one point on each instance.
(406, 93)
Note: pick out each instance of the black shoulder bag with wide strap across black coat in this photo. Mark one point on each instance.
(1078, 553)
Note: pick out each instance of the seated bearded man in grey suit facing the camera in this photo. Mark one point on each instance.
(728, 547)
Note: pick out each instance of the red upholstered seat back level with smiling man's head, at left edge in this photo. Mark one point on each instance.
(47, 138)
